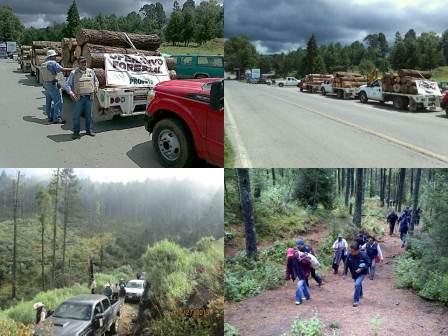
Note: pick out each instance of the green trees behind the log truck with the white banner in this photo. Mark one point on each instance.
(185, 23)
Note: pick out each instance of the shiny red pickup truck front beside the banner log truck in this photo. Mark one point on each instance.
(186, 119)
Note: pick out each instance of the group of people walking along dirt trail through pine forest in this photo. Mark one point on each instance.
(360, 258)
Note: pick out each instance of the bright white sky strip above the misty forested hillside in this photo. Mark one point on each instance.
(207, 177)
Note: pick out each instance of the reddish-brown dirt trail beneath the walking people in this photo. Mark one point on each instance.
(401, 311)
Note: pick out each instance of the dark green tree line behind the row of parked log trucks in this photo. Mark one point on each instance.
(425, 51)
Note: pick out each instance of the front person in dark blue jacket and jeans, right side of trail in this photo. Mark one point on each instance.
(358, 263)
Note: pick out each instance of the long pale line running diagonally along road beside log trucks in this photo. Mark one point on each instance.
(407, 145)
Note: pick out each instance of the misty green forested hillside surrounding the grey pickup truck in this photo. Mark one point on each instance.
(54, 229)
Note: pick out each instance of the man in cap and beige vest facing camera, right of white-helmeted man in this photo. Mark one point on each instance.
(81, 86)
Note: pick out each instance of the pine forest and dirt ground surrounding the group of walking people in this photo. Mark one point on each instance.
(267, 210)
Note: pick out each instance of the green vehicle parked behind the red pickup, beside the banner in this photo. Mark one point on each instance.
(199, 66)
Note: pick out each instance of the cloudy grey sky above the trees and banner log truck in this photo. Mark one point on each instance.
(40, 13)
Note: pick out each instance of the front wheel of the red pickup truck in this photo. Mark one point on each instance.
(173, 143)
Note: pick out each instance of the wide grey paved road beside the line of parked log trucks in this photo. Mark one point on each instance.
(280, 127)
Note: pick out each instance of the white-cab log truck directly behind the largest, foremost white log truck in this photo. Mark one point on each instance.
(343, 85)
